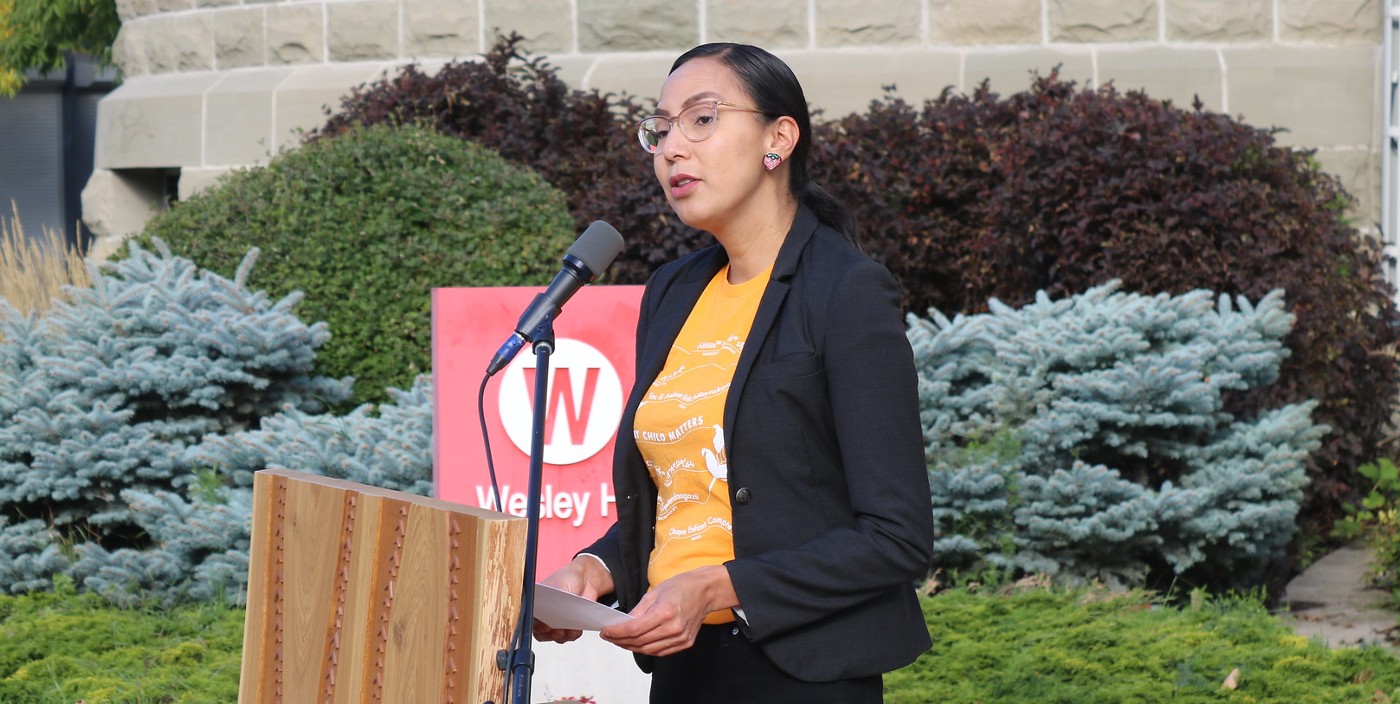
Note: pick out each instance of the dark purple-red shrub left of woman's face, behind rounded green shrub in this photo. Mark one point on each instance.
(582, 142)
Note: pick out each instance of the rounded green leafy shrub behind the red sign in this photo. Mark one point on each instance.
(366, 226)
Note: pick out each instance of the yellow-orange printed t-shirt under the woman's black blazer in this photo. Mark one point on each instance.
(680, 430)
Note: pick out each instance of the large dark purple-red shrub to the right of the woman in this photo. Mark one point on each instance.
(971, 198)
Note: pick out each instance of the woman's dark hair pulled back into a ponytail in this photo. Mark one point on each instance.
(776, 92)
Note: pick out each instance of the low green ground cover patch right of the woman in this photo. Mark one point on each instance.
(1090, 647)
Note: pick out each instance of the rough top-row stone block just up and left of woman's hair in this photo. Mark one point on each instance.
(617, 26)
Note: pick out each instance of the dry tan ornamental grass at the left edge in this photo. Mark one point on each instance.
(34, 271)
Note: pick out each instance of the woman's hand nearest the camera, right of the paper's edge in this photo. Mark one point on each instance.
(668, 618)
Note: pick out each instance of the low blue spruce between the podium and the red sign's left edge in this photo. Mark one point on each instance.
(202, 535)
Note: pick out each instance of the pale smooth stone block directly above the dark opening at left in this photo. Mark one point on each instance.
(153, 122)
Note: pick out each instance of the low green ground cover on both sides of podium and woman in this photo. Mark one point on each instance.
(1030, 646)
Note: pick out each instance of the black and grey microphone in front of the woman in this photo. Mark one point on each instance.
(589, 257)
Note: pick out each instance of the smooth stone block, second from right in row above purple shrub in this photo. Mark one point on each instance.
(1178, 75)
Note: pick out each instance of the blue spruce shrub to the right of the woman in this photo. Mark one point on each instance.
(1088, 437)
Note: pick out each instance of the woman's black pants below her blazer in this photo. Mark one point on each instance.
(724, 668)
